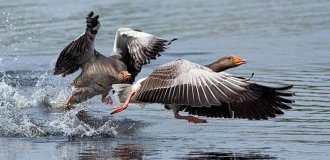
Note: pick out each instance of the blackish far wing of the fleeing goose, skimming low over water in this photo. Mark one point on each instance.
(269, 103)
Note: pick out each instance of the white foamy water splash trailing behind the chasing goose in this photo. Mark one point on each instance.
(30, 112)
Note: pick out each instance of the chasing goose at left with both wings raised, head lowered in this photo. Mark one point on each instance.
(132, 49)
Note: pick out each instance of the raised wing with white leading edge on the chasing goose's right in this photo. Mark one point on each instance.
(136, 48)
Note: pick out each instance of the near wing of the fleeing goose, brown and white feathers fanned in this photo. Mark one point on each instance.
(186, 83)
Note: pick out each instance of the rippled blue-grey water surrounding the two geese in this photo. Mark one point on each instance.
(285, 42)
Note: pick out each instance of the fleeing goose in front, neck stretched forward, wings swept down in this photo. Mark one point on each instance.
(205, 91)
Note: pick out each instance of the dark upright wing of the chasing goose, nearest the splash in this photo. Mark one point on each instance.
(80, 50)
